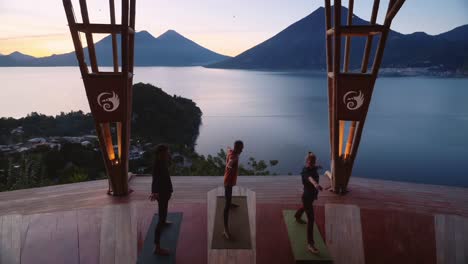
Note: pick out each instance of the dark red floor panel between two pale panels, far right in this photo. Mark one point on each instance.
(398, 237)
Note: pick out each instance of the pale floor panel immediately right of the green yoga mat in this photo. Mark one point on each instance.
(344, 233)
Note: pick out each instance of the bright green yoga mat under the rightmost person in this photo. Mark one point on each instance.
(298, 239)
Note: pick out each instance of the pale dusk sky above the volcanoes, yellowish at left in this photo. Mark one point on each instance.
(229, 27)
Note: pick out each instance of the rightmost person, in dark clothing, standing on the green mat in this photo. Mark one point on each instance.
(310, 180)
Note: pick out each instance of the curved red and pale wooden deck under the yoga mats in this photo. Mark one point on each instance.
(386, 222)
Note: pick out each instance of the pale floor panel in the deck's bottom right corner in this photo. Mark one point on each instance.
(451, 239)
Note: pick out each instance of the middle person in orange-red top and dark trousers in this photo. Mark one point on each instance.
(230, 179)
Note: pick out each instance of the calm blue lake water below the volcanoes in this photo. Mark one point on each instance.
(416, 129)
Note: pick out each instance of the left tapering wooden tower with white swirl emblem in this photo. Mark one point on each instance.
(109, 93)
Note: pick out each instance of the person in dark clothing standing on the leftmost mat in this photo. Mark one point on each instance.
(161, 190)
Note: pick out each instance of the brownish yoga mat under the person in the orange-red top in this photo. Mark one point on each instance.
(238, 225)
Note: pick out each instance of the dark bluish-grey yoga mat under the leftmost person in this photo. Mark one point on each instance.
(169, 237)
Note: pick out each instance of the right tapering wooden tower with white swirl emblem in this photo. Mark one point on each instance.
(350, 93)
